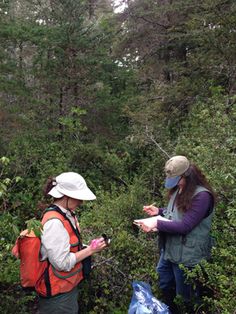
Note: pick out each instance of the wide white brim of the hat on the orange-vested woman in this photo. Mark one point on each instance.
(83, 195)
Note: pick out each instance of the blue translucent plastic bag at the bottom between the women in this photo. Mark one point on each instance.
(143, 301)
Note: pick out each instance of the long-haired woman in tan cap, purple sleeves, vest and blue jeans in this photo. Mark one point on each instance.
(186, 234)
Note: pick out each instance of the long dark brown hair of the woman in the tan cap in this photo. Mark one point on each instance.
(193, 177)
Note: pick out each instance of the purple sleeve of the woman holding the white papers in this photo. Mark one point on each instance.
(200, 206)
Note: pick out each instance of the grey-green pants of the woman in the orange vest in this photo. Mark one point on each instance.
(65, 303)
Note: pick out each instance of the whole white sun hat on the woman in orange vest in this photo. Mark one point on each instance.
(73, 185)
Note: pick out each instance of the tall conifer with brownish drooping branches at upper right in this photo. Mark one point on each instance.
(181, 49)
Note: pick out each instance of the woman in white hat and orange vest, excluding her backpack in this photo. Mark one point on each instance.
(61, 245)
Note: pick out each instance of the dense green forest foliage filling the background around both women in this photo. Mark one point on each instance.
(111, 96)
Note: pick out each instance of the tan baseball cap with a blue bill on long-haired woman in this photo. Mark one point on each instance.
(175, 167)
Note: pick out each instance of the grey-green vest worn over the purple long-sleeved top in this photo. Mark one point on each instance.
(188, 249)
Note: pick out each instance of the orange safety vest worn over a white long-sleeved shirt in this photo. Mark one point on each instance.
(53, 281)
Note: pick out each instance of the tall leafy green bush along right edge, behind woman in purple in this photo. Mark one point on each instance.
(208, 138)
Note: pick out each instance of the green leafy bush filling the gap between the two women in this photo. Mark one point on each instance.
(128, 257)
